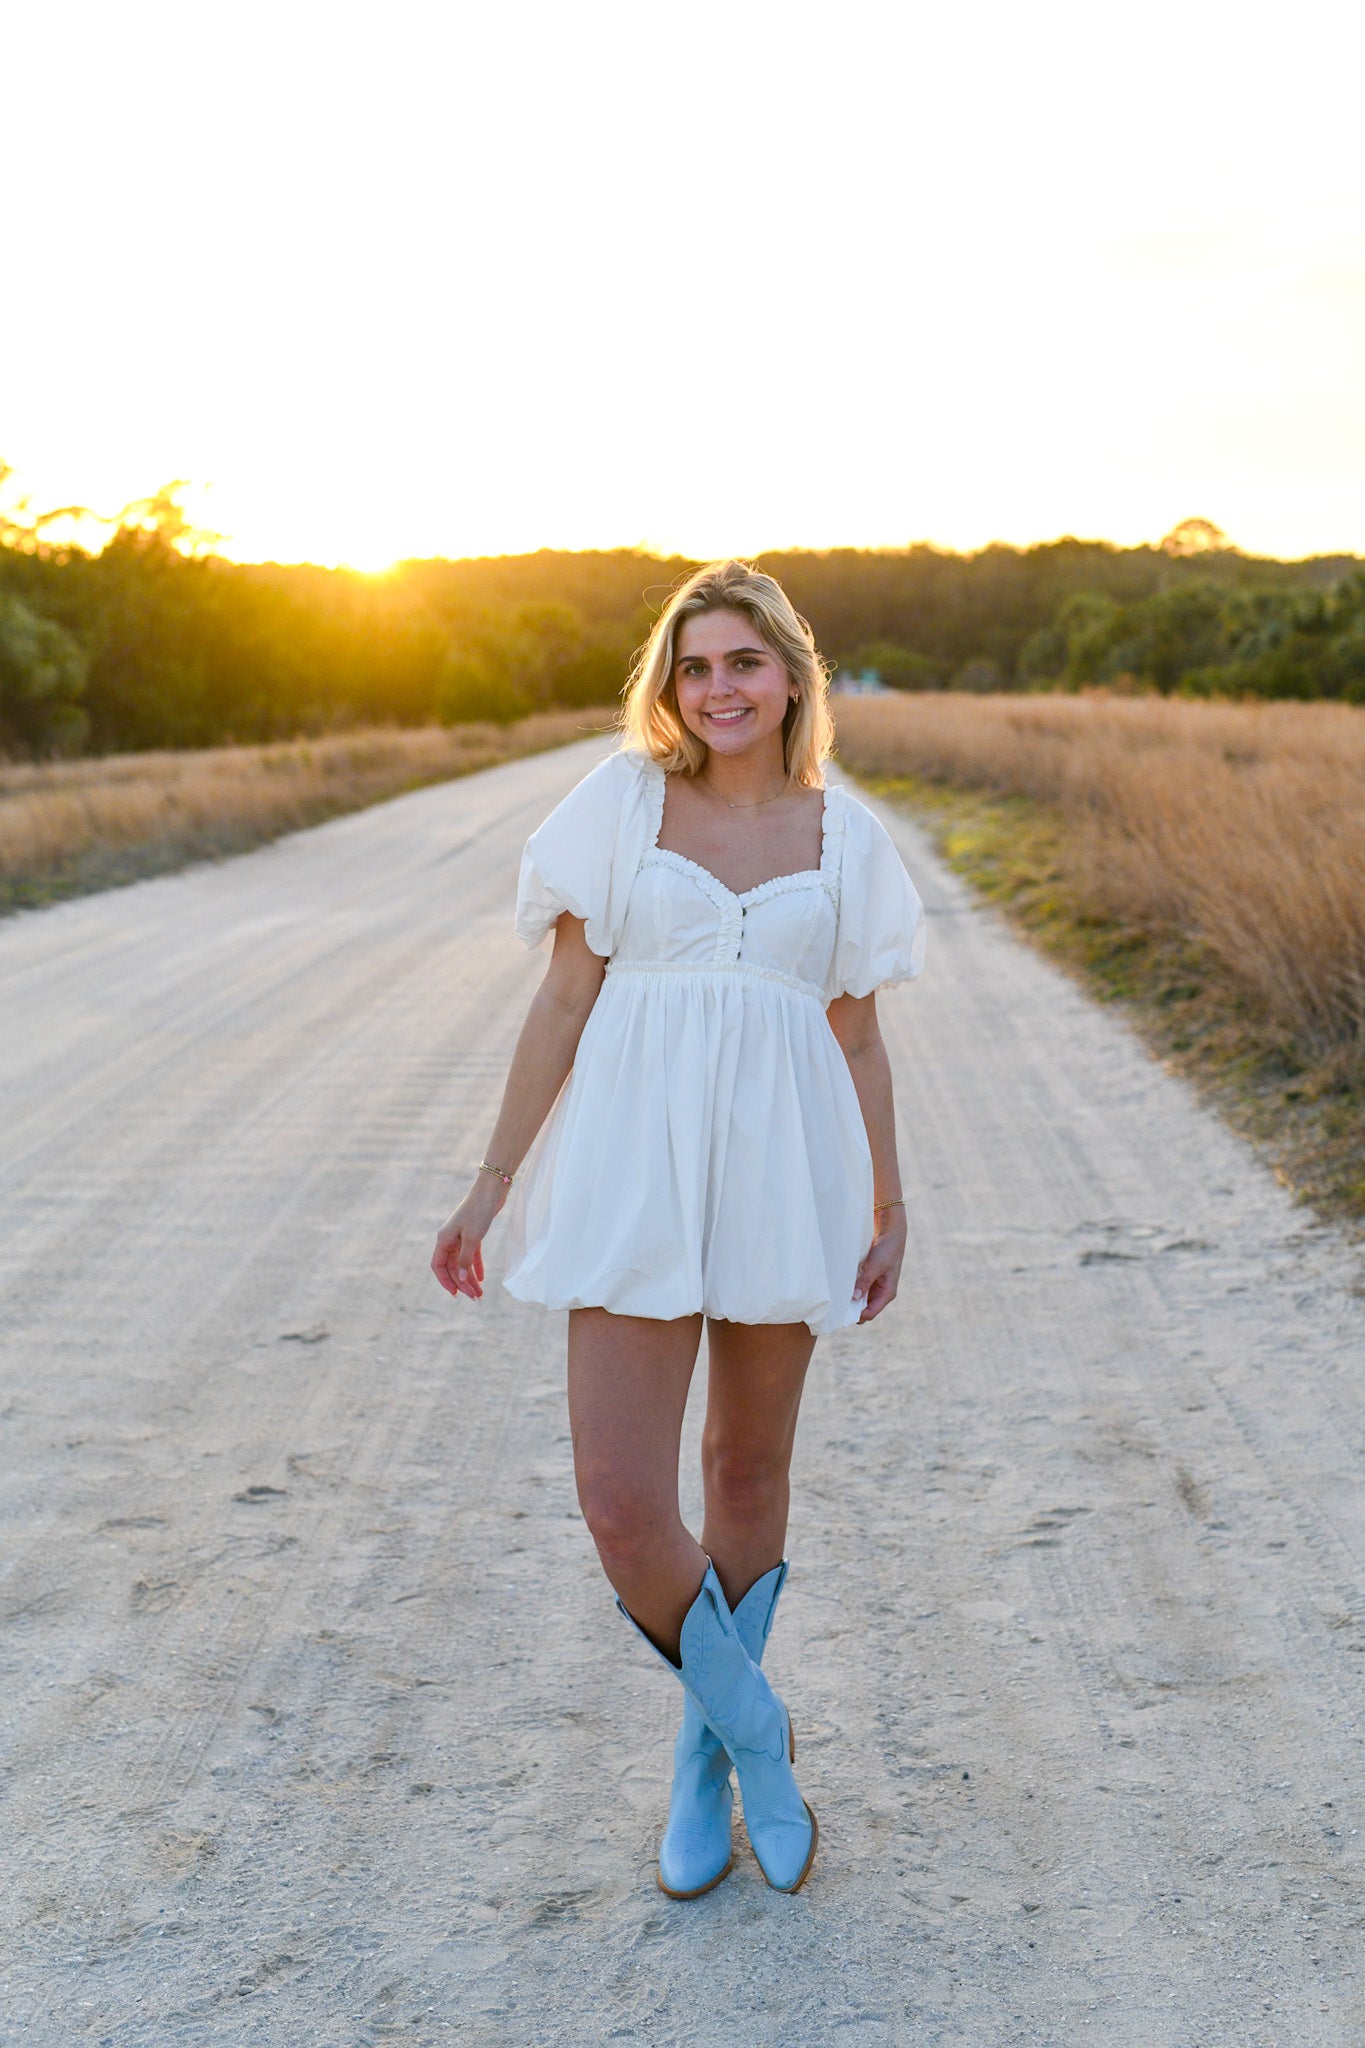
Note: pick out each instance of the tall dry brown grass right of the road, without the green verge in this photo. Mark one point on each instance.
(1235, 826)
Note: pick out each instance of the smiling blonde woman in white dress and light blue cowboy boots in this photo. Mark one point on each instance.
(723, 1148)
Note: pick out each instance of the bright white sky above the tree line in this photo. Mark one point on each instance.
(402, 280)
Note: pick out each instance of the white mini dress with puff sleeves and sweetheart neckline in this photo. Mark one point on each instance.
(709, 1150)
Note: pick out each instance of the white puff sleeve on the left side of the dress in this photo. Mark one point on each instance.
(584, 857)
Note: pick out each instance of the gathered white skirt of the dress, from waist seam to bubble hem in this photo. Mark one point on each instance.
(705, 1156)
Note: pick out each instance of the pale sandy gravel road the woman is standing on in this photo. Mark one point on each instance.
(318, 1721)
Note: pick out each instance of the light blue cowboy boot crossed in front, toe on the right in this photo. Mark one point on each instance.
(734, 1699)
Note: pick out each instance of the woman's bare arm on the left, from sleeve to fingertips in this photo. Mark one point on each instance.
(541, 1064)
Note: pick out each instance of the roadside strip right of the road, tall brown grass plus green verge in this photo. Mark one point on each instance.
(1200, 863)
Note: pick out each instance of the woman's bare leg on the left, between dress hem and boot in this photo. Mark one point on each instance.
(629, 1381)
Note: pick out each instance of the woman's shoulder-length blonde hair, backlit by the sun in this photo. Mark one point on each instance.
(652, 722)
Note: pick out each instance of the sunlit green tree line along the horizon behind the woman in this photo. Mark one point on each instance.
(157, 642)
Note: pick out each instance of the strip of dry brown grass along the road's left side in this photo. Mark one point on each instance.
(89, 824)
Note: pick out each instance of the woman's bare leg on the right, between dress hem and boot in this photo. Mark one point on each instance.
(756, 1379)
